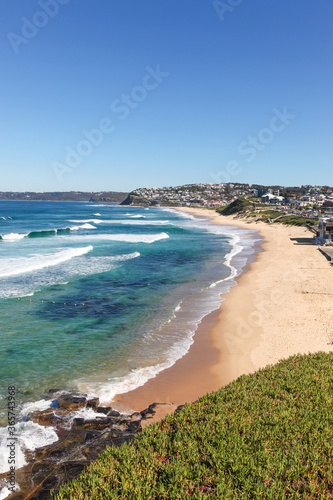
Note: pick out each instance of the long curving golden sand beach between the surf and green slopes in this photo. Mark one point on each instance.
(280, 307)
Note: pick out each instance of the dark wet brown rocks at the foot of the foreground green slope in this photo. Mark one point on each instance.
(79, 444)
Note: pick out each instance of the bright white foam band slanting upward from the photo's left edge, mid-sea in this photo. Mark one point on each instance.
(23, 265)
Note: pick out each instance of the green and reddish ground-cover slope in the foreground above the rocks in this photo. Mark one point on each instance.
(268, 435)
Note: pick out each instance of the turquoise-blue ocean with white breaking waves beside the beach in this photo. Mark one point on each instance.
(100, 298)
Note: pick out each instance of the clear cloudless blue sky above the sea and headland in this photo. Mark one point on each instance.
(118, 94)
